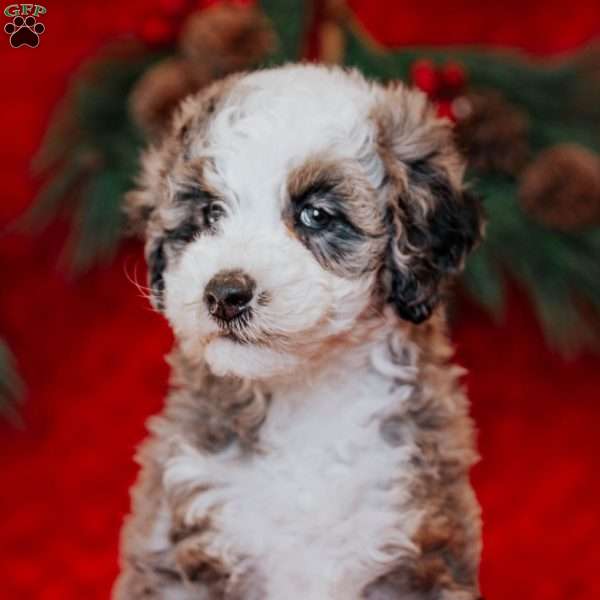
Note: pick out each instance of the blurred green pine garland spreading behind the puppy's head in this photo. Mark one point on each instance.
(91, 151)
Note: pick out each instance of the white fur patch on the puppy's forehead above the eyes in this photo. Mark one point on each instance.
(272, 121)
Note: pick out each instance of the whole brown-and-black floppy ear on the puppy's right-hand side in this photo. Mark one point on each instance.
(433, 223)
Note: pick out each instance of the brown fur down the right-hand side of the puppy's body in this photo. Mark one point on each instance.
(448, 542)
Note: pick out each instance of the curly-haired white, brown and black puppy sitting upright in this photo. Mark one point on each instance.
(301, 224)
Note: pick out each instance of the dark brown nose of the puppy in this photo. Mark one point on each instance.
(228, 294)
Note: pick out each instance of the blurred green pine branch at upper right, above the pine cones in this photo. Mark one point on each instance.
(561, 98)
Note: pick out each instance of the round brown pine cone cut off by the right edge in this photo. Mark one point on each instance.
(561, 188)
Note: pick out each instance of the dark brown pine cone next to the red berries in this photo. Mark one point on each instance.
(491, 133)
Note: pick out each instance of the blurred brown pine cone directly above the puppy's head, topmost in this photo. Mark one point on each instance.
(230, 37)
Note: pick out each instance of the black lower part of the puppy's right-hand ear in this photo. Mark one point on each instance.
(432, 244)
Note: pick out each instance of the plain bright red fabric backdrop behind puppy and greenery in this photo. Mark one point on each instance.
(91, 351)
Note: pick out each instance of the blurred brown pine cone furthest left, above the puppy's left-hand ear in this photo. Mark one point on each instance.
(160, 90)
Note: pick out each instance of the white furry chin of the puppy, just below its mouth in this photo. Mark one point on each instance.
(227, 357)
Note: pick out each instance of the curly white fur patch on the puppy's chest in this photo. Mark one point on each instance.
(324, 507)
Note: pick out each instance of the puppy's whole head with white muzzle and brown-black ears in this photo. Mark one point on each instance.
(287, 207)
